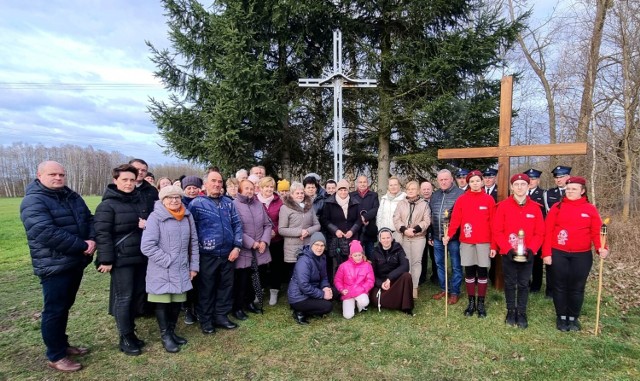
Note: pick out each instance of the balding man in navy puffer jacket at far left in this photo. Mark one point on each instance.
(60, 235)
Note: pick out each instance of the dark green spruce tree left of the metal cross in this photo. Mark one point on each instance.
(232, 72)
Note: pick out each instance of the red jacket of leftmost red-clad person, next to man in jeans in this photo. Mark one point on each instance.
(472, 214)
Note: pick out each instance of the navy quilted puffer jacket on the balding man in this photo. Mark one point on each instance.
(57, 223)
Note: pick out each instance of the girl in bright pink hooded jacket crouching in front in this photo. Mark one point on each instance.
(354, 279)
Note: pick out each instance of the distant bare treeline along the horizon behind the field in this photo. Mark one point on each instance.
(88, 169)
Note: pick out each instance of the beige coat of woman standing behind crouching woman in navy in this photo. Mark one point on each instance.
(293, 219)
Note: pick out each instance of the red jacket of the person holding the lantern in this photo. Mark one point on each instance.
(510, 217)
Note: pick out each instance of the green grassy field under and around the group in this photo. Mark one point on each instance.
(381, 346)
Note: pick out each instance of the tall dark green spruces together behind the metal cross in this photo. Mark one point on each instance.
(233, 73)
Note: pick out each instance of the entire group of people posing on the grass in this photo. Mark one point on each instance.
(210, 247)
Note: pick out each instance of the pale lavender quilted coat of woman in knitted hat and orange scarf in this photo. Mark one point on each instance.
(166, 241)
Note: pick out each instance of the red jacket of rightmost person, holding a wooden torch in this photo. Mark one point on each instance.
(571, 226)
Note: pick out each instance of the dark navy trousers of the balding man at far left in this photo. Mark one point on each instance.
(59, 293)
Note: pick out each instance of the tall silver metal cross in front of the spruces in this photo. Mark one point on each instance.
(337, 79)
